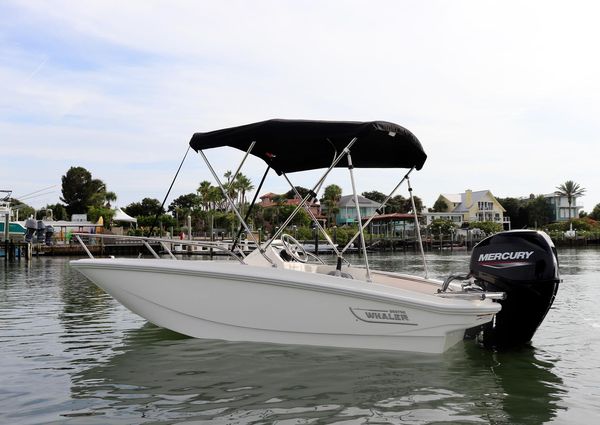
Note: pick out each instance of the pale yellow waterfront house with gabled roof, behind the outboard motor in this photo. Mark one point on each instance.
(470, 206)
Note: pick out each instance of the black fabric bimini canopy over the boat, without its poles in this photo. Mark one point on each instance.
(299, 145)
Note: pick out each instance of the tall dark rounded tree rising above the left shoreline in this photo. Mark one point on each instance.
(80, 191)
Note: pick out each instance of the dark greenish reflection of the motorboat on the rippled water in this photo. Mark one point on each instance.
(161, 375)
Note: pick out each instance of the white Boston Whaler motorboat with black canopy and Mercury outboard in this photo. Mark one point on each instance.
(281, 293)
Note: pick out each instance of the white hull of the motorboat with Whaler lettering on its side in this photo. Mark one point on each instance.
(236, 302)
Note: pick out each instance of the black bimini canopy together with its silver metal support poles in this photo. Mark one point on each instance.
(300, 145)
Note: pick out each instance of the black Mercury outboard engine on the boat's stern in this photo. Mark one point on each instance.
(524, 265)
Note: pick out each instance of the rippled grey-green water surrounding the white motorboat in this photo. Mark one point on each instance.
(72, 355)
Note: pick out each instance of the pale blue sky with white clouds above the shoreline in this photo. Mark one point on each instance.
(503, 95)
